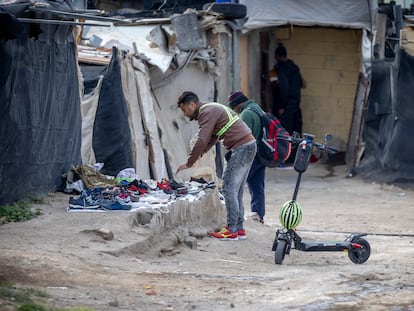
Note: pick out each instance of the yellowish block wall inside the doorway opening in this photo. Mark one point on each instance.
(329, 60)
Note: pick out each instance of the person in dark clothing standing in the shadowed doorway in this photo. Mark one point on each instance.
(287, 83)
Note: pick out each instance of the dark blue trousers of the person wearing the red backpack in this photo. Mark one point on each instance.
(255, 181)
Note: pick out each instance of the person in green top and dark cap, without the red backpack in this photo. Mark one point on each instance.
(255, 180)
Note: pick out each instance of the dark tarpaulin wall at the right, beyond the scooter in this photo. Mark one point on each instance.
(389, 123)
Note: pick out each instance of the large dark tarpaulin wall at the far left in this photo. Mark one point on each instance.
(40, 121)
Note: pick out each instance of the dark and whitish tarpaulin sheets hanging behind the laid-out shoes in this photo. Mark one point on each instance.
(123, 133)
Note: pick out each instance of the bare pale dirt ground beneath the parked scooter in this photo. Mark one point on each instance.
(54, 253)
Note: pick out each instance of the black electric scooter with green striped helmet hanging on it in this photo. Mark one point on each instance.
(290, 214)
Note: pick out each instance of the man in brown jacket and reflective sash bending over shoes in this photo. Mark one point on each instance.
(217, 122)
